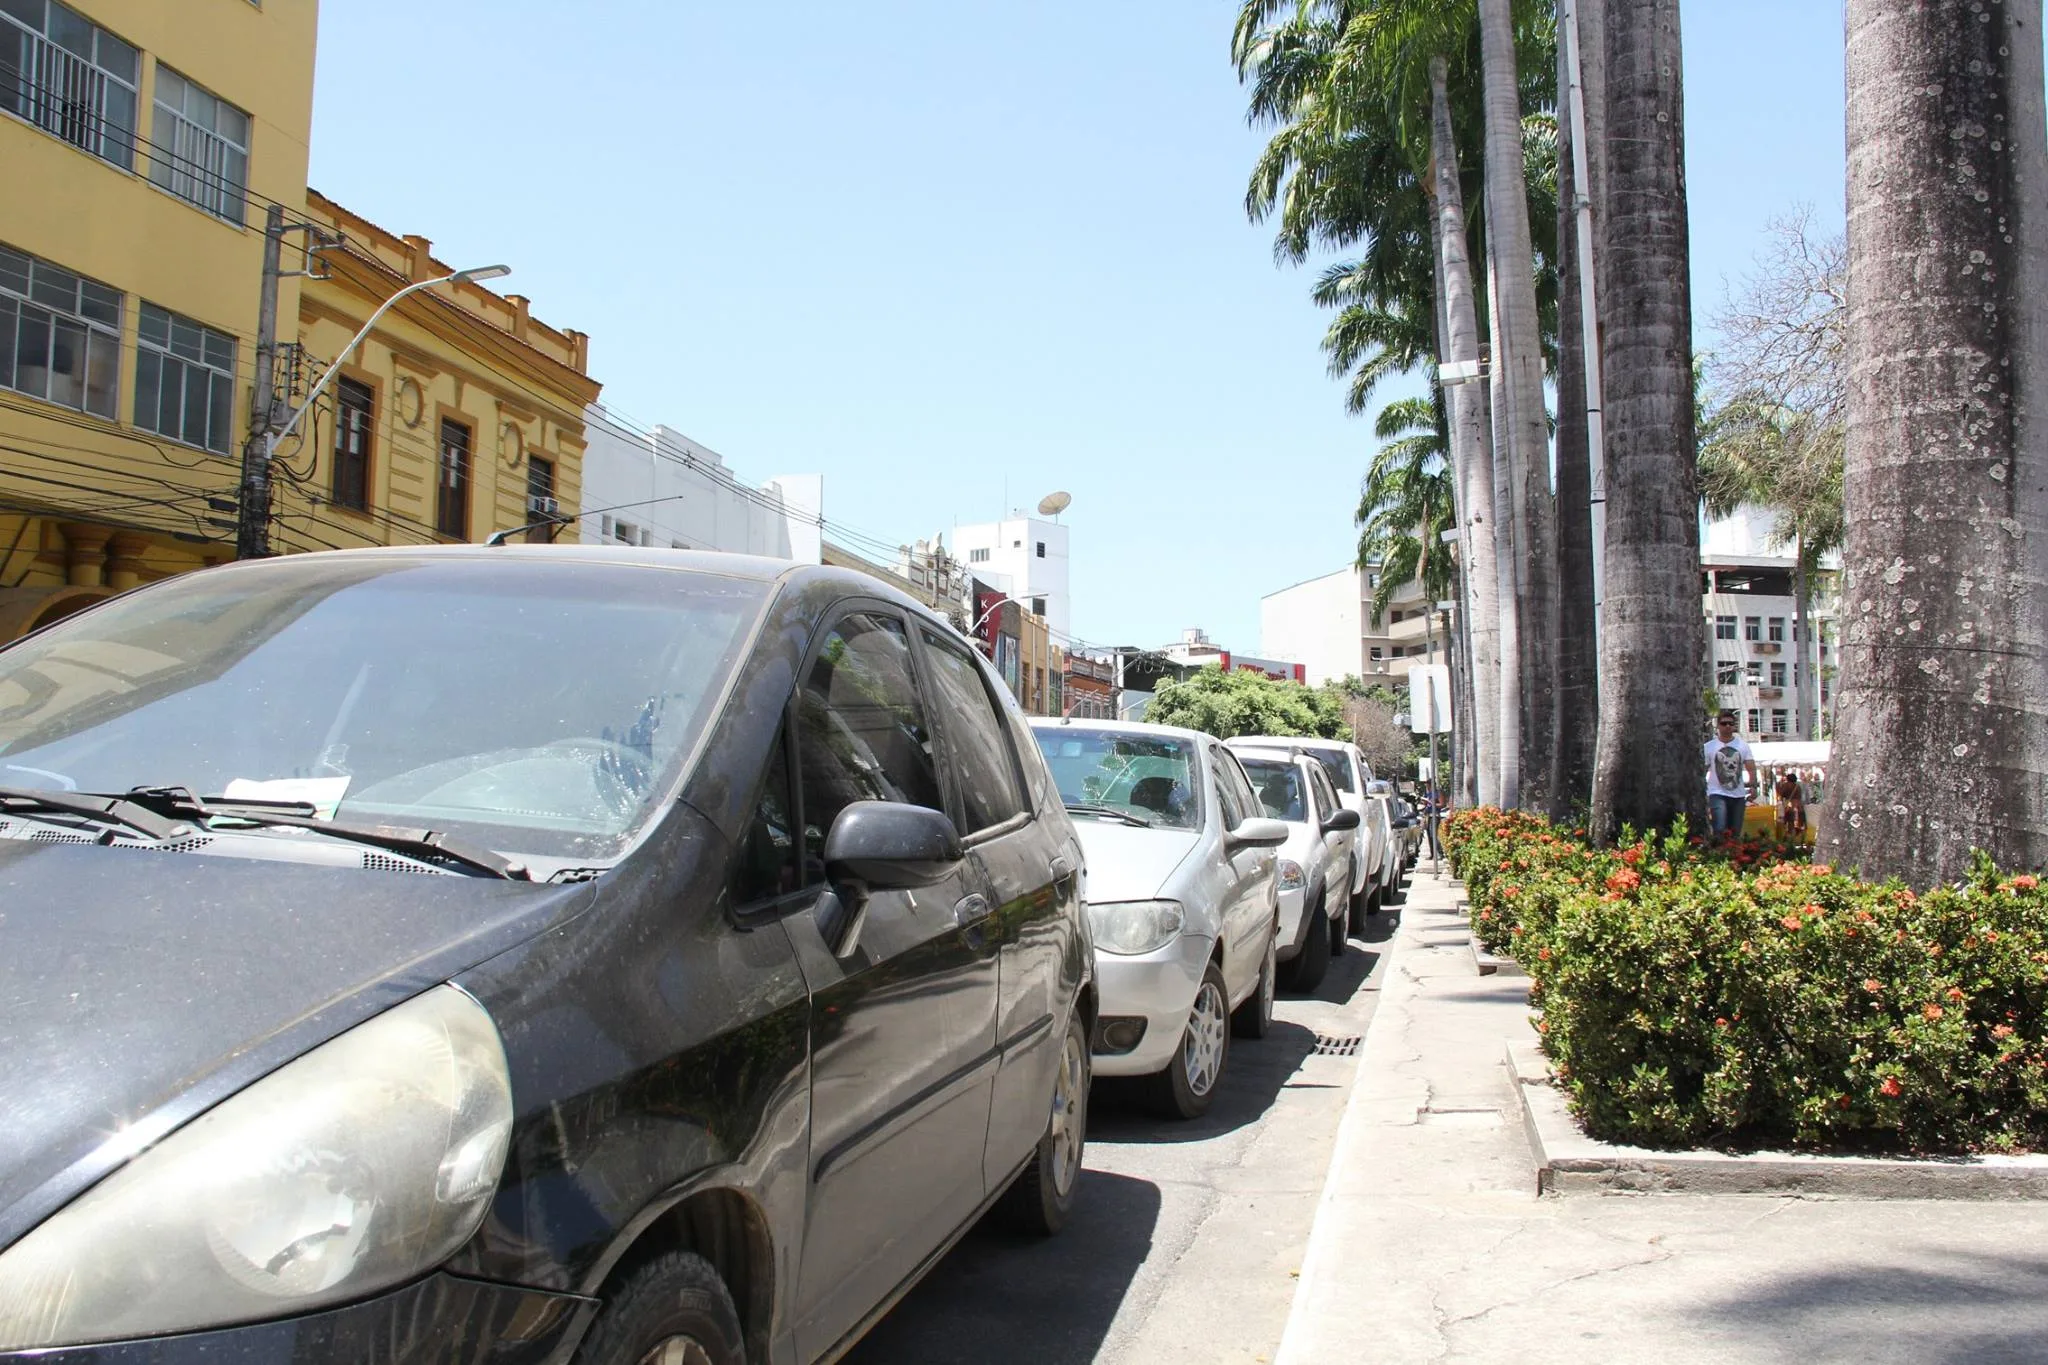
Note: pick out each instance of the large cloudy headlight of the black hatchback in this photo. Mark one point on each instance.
(351, 1170)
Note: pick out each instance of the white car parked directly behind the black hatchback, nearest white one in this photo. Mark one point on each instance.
(1183, 899)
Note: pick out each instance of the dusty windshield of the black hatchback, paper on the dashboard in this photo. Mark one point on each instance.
(536, 707)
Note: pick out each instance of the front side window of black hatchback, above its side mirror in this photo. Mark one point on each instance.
(861, 730)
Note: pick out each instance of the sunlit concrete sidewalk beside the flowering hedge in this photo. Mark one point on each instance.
(1433, 1245)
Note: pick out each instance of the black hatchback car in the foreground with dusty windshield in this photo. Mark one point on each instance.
(546, 955)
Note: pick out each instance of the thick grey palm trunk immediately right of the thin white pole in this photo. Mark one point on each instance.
(1652, 642)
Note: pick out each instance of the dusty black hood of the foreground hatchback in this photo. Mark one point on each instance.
(142, 987)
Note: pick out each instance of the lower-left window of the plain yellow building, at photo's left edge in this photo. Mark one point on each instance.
(60, 335)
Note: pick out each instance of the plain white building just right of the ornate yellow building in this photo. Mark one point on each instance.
(663, 488)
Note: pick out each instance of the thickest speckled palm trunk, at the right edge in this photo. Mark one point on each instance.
(1940, 734)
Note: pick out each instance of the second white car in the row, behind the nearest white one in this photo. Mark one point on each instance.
(1316, 863)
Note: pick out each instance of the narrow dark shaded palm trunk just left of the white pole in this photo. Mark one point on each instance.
(1578, 664)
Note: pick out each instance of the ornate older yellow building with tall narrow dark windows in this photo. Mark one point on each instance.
(462, 414)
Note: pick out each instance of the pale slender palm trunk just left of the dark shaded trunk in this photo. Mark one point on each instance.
(1527, 451)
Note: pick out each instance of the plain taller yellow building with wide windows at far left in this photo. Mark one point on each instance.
(140, 144)
